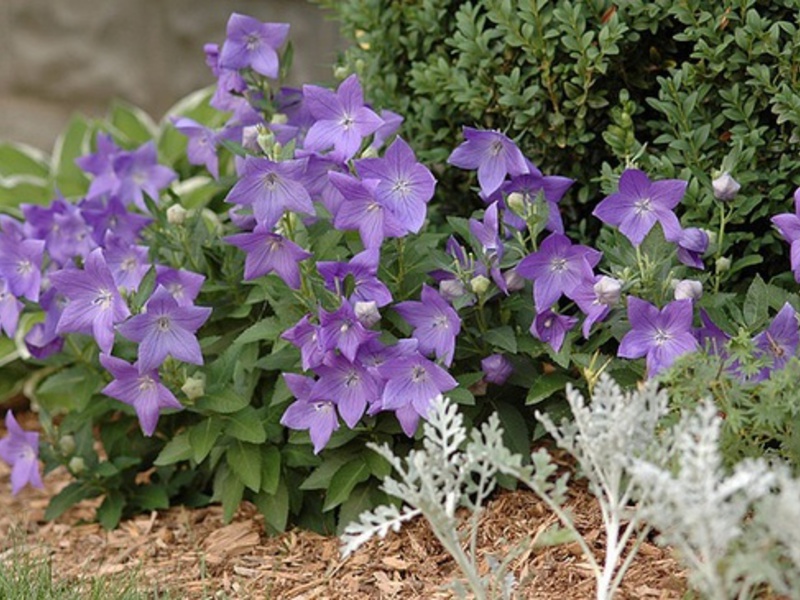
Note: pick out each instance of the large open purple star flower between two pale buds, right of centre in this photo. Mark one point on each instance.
(558, 267)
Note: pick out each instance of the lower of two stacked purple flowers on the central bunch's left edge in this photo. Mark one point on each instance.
(267, 253)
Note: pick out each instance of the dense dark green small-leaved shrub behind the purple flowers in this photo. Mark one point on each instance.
(686, 89)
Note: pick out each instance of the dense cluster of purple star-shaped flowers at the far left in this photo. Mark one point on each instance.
(82, 262)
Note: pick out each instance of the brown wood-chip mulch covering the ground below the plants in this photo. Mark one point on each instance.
(193, 554)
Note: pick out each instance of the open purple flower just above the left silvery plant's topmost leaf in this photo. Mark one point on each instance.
(348, 385)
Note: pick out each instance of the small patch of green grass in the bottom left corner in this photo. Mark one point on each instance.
(26, 574)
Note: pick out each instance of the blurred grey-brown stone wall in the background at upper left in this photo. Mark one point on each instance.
(58, 57)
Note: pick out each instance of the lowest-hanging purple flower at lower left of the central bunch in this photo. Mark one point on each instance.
(317, 416)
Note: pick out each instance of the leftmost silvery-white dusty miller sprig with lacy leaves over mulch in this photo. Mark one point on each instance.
(437, 479)
